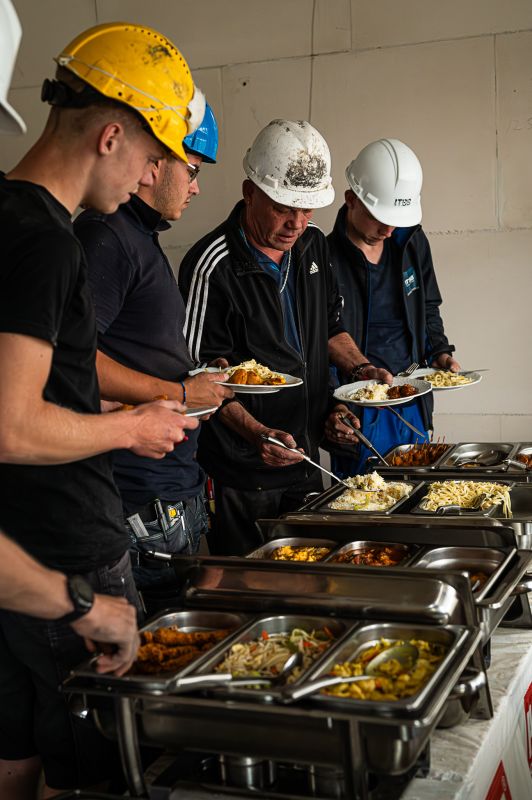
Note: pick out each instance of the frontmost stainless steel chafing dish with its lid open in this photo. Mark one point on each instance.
(381, 739)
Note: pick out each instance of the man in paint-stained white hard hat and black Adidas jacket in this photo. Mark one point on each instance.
(260, 286)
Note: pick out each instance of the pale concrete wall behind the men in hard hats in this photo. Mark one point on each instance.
(453, 80)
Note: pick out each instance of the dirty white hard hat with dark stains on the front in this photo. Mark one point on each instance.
(291, 163)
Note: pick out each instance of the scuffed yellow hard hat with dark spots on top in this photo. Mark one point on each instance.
(139, 67)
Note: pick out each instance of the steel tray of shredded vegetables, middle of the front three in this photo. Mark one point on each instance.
(281, 623)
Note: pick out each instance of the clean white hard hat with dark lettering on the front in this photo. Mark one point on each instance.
(387, 177)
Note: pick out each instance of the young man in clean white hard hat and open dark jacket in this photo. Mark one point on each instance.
(391, 298)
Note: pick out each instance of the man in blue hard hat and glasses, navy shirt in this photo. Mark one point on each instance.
(140, 316)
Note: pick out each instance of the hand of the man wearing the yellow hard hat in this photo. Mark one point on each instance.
(156, 428)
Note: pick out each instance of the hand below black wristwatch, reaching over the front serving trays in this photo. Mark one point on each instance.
(111, 620)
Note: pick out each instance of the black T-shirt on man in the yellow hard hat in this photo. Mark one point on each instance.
(68, 516)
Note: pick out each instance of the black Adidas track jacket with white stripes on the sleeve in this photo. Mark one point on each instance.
(234, 311)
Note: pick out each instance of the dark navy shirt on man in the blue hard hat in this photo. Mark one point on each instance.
(140, 316)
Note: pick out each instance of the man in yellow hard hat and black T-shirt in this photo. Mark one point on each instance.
(123, 96)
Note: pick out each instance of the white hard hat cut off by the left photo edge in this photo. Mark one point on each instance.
(10, 35)
